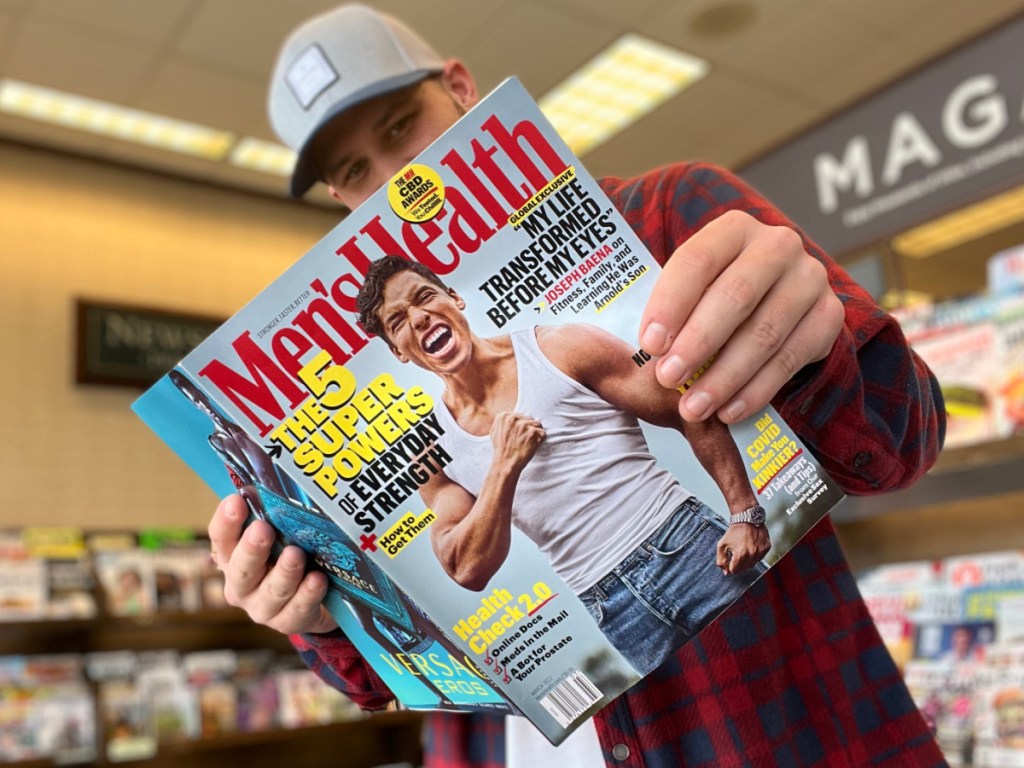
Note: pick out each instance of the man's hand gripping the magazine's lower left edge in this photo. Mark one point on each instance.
(281, 595)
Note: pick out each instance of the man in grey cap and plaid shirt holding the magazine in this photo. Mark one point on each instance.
(794, 672)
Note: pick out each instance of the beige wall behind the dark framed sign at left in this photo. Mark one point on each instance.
(75, 455)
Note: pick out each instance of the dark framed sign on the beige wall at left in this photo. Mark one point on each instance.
(133, 346)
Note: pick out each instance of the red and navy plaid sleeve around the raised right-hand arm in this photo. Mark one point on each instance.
(872, 412)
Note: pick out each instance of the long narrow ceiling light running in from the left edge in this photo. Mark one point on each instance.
(113, 121)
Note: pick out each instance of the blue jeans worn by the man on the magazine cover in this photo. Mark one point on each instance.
(668, 589)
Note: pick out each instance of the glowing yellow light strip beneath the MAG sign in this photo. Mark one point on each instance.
(963, 226)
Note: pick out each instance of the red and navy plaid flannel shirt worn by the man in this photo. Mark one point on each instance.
(794, 673)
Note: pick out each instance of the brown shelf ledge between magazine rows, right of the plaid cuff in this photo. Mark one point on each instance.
(971, 502)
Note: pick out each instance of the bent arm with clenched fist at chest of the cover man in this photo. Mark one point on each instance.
(473, 535)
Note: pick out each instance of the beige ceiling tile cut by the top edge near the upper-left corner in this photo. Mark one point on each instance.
(127, 20)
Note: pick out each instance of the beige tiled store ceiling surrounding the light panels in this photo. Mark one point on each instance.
(779, 67)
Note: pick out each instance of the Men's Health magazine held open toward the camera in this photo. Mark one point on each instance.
(468, 542)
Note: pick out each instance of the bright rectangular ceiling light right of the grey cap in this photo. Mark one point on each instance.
(617, 89)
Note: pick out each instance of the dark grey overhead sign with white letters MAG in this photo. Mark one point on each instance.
(931, 143)
